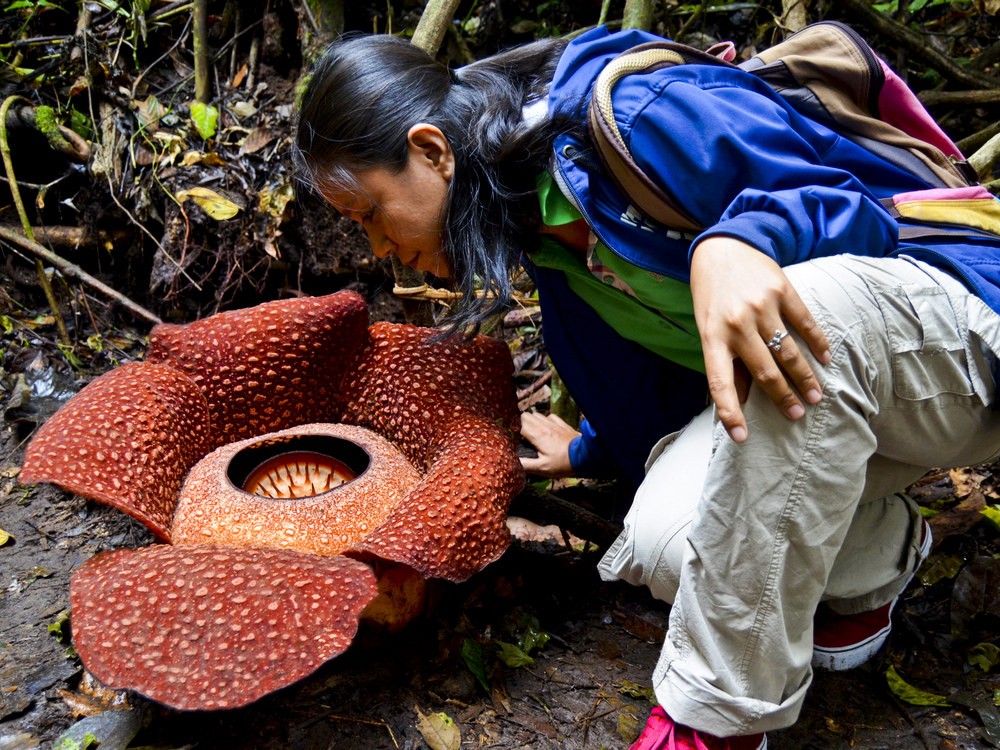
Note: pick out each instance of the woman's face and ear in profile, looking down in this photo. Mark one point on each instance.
(403, 213)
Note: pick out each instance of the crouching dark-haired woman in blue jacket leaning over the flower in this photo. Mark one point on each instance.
(774, 522)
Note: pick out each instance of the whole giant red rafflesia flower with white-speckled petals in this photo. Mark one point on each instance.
(302, 470)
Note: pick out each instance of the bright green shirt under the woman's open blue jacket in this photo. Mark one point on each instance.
(652, 310)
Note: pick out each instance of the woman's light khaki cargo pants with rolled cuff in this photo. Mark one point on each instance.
(746, 540)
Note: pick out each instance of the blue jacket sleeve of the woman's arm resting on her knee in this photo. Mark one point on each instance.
(746, 165)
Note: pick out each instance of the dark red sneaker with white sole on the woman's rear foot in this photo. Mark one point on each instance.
(847, 641)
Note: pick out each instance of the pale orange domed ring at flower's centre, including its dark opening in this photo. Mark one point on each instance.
(254, 493)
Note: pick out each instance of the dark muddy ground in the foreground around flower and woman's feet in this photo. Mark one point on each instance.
(587, 688)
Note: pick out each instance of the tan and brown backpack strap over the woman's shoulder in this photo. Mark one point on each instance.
(645, 194)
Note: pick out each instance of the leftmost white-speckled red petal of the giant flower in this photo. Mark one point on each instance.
(127, 439)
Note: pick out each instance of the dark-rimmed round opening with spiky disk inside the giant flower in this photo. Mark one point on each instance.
(297, 466)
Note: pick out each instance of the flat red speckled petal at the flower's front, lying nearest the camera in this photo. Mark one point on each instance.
(202, 628)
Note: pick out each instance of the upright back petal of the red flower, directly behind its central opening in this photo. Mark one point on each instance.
(271, 366)
